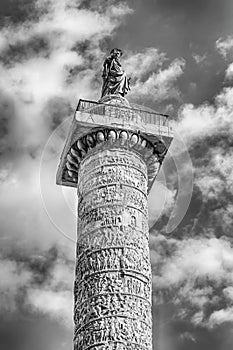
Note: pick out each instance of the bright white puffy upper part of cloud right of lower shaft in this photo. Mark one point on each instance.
(197, 259)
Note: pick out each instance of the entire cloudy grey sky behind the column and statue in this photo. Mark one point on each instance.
(179, 54)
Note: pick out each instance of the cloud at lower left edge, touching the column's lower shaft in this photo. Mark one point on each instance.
(38, 283)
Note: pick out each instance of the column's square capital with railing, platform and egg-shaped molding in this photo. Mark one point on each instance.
(114, 123)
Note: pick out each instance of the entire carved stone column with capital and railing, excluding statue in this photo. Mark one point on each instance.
(112, 155)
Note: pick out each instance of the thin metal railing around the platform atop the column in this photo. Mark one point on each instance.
(128, 113)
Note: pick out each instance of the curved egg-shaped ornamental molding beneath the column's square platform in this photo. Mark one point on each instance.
(109, 138)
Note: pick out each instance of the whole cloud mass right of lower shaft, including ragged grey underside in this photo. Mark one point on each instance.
(190, 272)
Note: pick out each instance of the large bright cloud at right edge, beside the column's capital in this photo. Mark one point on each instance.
(207, 131)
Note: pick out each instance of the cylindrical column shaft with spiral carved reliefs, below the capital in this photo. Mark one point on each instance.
(113, 274)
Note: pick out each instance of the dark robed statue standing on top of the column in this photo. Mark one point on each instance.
(115, 80)
